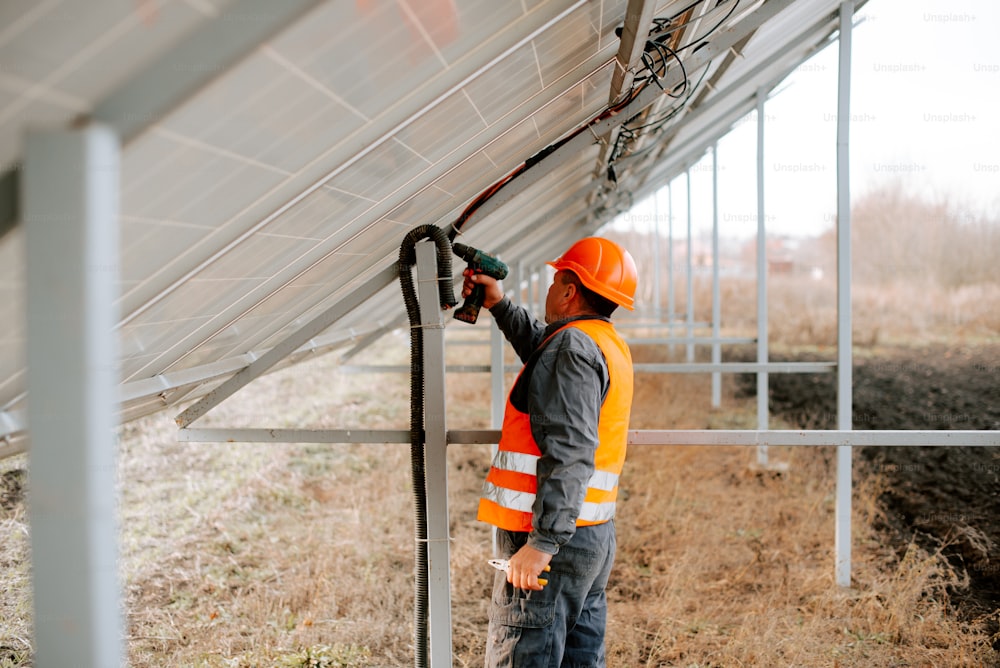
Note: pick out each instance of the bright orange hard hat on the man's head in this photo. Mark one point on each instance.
(604, 267)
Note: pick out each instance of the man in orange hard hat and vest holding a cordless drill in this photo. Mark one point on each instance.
(552, 486)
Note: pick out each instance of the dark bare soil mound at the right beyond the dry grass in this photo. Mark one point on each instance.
(942, 498)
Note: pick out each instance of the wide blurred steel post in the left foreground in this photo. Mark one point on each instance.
(70, 192)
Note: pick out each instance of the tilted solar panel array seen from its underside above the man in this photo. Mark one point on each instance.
(288, 180)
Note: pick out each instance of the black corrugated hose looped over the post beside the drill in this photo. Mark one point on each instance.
(446, 295)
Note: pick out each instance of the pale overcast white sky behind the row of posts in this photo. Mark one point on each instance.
(925, 114)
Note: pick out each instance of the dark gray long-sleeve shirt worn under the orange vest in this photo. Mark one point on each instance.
(561, 389)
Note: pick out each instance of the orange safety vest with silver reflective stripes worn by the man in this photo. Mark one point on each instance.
(510, 487)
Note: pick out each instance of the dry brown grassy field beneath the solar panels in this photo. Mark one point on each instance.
(300, 555)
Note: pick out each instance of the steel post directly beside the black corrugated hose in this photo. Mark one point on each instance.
(435, 457)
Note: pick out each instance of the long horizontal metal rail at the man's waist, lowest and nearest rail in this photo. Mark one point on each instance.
(740, 437)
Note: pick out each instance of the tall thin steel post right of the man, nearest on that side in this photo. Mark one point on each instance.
(844, 339)
